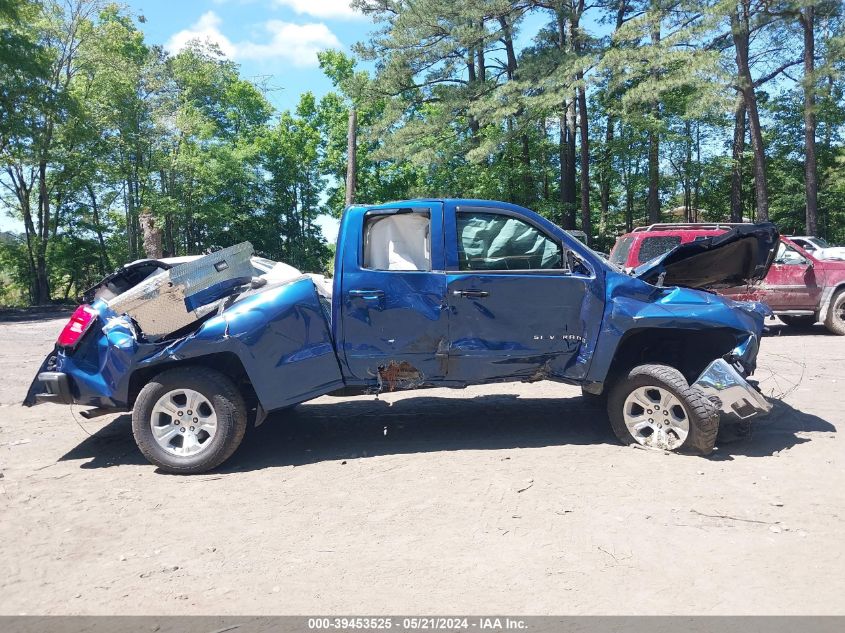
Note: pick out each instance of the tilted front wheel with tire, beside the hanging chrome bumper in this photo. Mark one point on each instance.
(654, 406)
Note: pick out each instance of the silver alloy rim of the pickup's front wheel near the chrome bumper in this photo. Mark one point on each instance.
(656, 418)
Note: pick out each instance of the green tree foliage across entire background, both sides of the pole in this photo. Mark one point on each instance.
(465, 100)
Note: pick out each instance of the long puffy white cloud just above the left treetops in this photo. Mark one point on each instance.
(296, 43)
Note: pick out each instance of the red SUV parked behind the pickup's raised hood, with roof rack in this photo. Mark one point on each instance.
(800, 288)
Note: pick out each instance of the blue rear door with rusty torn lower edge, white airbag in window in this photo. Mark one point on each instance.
(394, 323)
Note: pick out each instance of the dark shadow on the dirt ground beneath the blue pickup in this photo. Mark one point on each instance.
(325, 431)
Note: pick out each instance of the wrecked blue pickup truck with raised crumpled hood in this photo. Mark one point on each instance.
(426, 293)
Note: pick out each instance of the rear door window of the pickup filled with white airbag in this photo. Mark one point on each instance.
(400, 241)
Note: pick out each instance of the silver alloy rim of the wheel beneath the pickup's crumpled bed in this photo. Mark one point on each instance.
(183, 422)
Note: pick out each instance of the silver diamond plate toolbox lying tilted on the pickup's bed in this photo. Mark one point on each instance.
(173, 299)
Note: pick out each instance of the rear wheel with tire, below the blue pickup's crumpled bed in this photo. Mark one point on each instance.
(189, 420)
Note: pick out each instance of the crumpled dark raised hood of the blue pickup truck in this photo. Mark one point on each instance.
(740, 256)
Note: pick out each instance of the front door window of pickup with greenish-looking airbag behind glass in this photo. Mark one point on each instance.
(492, 241)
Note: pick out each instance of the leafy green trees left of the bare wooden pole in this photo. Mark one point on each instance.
(122, 128)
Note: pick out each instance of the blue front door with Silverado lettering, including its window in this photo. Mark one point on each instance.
(519, 305)
